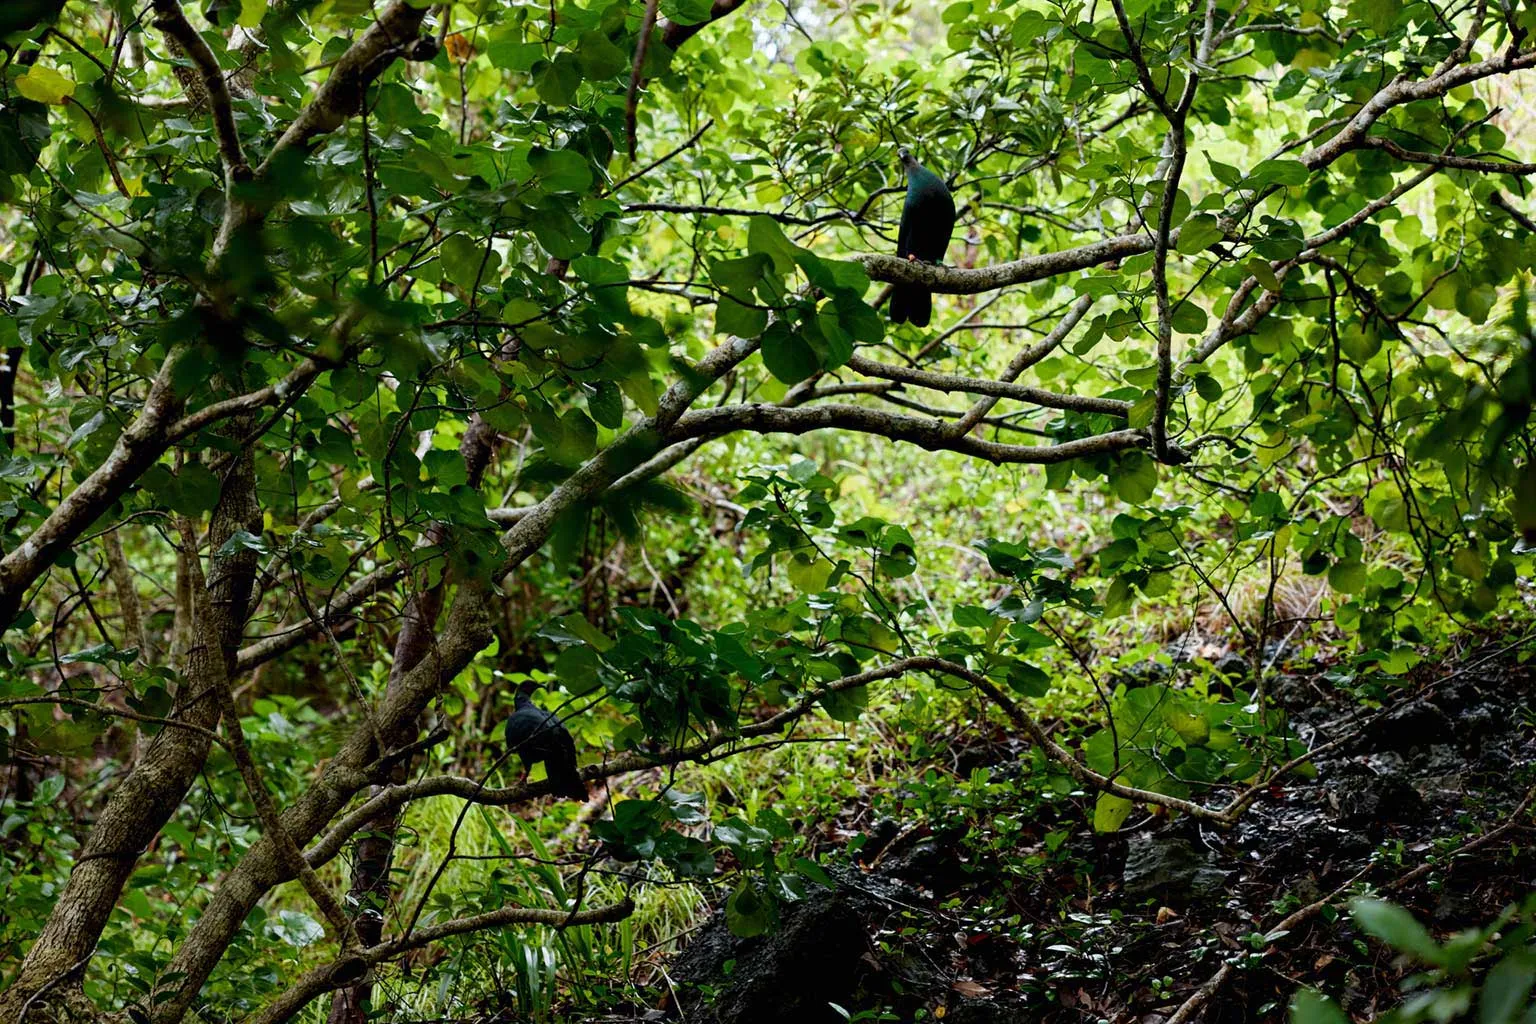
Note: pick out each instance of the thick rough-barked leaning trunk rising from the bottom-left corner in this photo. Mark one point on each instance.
(142, 805)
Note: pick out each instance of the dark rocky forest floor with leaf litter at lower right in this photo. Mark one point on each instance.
(1033, 917)
